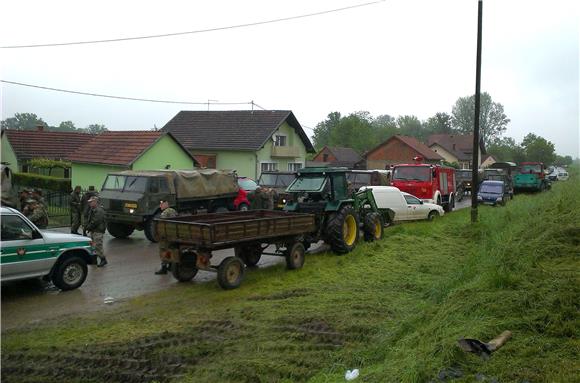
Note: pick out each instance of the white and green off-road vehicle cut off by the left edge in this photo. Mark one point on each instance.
(28, 252)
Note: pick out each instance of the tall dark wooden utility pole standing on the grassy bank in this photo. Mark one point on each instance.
(475, 157)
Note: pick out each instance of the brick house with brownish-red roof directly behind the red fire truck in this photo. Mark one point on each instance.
(397, 150)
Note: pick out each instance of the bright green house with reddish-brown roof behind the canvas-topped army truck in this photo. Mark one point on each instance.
(114, 151)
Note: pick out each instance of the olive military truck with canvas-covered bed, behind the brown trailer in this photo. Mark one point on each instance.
(131, 198)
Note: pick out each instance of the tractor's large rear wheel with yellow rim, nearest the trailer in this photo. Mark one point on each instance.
(342, 230)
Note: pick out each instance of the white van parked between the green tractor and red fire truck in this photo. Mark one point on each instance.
(407, 207)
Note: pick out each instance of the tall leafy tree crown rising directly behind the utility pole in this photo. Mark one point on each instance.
(492, 121)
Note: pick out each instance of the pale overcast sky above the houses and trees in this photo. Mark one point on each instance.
(396, 57)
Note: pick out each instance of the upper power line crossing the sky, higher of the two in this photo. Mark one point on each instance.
(196, 31)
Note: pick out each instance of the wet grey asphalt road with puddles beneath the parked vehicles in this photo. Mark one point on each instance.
(130, 273)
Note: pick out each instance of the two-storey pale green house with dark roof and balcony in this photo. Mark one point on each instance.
(246, 141)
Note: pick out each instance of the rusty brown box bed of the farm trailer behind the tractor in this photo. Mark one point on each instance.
(219, 230)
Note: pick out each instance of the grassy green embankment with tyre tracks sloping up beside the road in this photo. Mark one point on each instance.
(394, 309)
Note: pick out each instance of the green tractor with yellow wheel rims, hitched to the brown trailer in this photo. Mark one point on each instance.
(339, 212)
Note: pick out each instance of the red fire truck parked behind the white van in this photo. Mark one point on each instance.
(428, 182)
